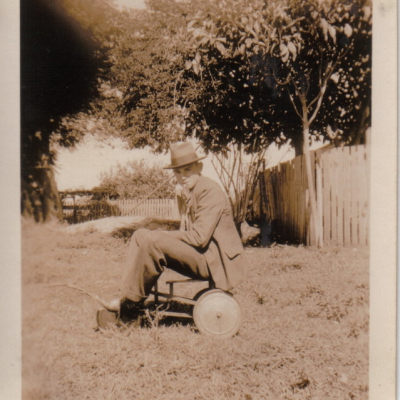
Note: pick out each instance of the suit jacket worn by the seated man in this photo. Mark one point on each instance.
(211, 230)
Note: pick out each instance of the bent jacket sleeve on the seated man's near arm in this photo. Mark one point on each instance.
(210, 205)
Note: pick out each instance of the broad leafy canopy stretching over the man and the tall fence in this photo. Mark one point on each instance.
(235, 71)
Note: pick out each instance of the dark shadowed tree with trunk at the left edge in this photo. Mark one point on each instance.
(60, 61)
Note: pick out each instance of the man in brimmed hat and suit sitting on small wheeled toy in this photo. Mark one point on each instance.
(207, 246)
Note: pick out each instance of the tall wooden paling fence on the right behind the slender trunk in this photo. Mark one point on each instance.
(342, 190)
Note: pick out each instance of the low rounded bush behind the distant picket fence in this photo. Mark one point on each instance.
(136, 180)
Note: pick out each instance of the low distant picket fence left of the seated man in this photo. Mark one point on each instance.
(82, 210)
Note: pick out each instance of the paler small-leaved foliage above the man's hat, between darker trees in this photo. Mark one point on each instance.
(138, 93)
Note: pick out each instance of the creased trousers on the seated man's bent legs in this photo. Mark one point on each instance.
(149, 253)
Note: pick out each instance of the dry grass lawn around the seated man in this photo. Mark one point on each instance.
(305, 334)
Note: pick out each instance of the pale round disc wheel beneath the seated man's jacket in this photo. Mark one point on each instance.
(217, 313)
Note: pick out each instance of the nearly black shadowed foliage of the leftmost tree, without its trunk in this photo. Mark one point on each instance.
(61, 58)
